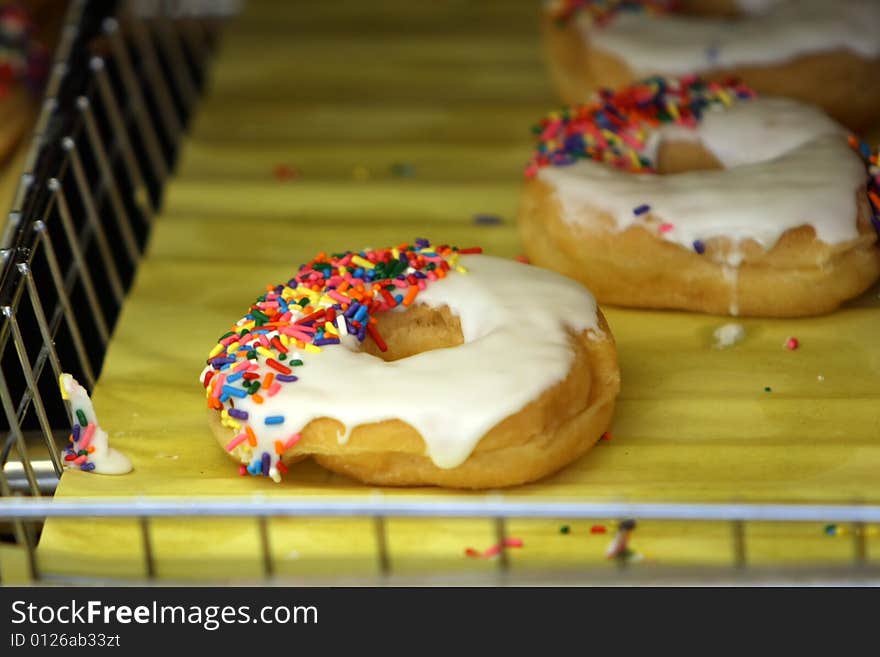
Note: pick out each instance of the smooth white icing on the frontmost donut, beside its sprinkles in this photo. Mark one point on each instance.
(512, 352)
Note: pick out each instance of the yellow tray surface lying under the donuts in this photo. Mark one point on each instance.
(452, 91)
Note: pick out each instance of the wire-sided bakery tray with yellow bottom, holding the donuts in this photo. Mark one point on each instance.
(187, 153)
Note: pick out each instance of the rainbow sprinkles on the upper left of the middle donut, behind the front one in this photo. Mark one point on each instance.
(613, 128)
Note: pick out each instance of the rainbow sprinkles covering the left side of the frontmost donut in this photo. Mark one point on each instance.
(330, 298)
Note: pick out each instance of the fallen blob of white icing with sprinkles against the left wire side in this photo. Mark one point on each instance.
(89, 449)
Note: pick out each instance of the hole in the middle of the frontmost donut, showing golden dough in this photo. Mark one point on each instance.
(414, 331)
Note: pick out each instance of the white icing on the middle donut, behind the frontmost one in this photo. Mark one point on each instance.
(789, 166)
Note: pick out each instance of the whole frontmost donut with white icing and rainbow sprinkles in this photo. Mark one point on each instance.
(415, 365)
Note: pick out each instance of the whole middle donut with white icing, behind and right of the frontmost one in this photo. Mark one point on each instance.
(682, 194)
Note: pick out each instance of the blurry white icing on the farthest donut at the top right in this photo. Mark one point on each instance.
(778, 32)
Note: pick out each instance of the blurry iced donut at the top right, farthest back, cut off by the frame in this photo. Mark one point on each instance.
(823, 53)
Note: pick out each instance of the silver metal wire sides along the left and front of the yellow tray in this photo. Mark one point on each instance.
(125, 81)
